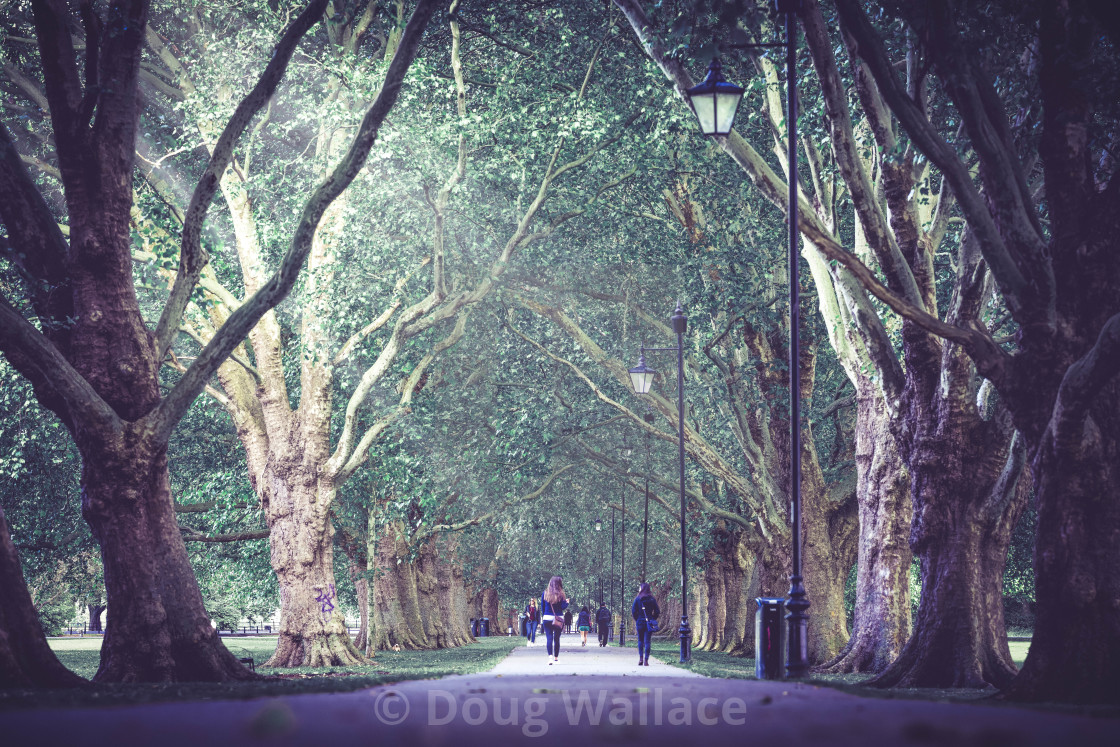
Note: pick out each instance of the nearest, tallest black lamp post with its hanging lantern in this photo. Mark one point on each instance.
(704, 99)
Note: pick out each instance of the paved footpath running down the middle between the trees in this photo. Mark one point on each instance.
(592, 697)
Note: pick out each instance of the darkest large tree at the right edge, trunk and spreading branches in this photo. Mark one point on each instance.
(1059, 282)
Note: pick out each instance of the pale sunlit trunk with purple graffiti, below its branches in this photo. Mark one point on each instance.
(302, 540)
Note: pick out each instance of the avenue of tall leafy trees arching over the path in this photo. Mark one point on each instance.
(311, 304)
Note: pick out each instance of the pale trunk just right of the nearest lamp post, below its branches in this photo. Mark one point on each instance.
(882, 623)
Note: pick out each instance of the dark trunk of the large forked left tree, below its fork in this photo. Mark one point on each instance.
(158, 630)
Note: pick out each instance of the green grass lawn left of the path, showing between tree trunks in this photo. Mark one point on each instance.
(82, 656)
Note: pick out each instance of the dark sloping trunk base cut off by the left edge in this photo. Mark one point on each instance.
(26, 660)
